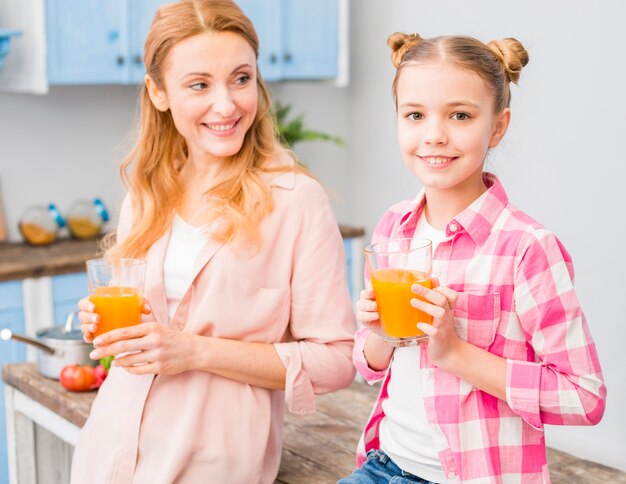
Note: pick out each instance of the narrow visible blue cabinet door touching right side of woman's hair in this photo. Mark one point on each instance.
(265, 16)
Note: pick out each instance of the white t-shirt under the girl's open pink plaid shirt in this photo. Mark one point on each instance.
(404, 432)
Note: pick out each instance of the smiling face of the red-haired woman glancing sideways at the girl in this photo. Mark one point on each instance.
(211, 92)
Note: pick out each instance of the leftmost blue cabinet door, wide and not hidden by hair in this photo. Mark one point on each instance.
(85, 41)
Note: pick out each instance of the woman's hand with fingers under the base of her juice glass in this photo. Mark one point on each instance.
(147, 348)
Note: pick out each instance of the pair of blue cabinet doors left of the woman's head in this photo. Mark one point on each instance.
(97, 42)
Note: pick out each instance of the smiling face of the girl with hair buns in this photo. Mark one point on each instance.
(446, 123)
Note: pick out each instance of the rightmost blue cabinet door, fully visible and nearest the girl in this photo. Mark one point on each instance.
(310, 39)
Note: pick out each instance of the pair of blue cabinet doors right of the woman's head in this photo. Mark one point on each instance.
(299, 38)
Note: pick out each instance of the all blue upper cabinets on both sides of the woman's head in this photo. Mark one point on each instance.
(101, 42)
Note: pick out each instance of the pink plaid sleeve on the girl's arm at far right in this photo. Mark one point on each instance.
(564, 386)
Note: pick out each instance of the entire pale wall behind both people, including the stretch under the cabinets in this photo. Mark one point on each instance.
(562, 160)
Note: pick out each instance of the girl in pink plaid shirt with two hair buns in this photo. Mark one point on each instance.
(509, 349)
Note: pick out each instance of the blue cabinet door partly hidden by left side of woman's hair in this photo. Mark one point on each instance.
(140, 16)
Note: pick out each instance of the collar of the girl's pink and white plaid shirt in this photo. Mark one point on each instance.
(477, 219)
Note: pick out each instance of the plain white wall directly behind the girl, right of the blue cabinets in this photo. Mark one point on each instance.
(563, 160)
